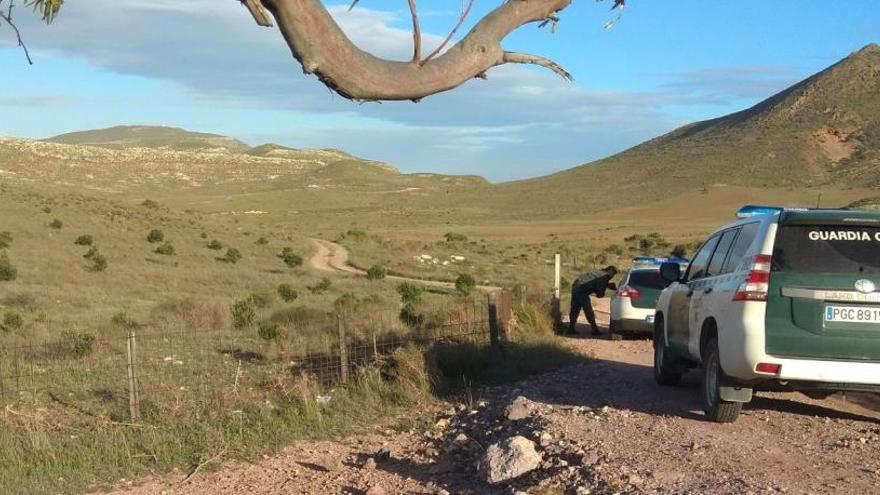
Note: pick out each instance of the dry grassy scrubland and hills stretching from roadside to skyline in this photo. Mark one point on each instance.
(200, 246)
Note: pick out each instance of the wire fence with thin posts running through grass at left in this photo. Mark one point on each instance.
(143, 372)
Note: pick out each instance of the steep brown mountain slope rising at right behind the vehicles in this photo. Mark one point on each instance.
(823, 131)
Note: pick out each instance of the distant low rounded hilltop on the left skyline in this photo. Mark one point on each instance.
(138, 136)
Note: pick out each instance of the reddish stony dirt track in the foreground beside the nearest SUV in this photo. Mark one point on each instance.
(603, 427)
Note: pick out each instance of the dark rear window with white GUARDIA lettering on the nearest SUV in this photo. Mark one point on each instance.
(827, 249)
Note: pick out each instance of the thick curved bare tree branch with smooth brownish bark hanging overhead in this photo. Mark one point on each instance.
(319, 44)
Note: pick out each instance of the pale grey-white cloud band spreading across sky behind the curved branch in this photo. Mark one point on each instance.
(214, 52)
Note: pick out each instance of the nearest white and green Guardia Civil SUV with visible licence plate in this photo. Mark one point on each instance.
(780, 299)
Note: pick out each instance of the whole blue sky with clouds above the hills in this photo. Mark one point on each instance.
(204, 65)
